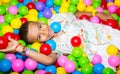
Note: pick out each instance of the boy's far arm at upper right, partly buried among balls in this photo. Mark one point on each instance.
(102, 16)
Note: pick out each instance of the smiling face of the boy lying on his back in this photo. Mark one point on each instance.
(39, 32)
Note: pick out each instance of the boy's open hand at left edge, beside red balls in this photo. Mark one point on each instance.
(11, 46)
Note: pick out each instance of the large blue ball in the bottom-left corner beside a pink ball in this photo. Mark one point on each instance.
(5, 65)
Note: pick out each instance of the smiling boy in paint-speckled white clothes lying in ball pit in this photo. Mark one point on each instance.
(95, 37)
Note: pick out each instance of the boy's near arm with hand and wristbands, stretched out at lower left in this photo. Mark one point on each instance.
(39, 57)
